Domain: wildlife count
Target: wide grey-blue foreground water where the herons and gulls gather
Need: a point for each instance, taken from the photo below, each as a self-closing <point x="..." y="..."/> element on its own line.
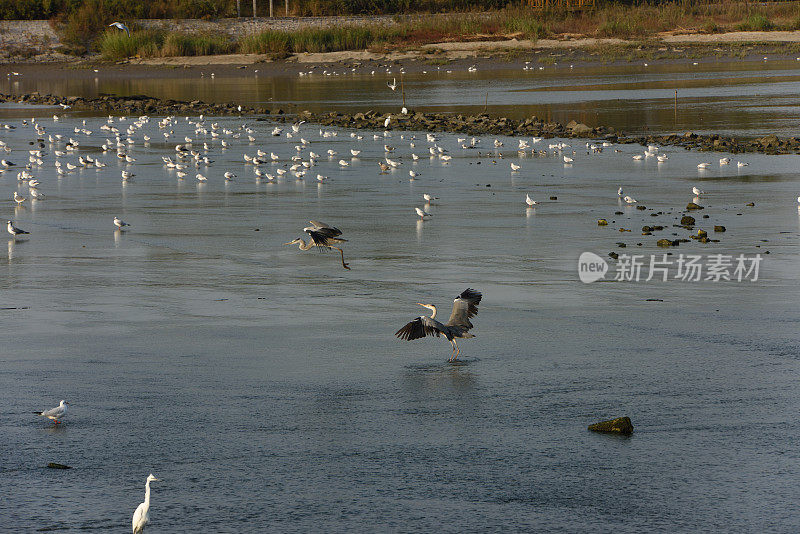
<point x="265" y="387"/>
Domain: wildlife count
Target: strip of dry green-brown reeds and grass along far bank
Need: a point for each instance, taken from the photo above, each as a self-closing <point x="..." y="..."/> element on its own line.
<point x="626" y="21"/>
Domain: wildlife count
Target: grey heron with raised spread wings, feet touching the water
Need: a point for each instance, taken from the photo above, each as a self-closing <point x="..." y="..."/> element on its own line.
<point x="464" y="307"/>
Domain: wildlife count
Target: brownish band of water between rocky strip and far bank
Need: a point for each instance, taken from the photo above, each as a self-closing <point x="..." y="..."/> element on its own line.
<point x="741" y="97"/>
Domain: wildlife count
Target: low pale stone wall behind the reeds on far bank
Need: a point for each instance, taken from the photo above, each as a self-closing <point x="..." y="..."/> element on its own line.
<point x="33" y="38"/>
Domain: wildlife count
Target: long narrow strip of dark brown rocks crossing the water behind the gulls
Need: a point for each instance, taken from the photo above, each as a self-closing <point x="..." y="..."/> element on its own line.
<point x="481" y="124"/>
